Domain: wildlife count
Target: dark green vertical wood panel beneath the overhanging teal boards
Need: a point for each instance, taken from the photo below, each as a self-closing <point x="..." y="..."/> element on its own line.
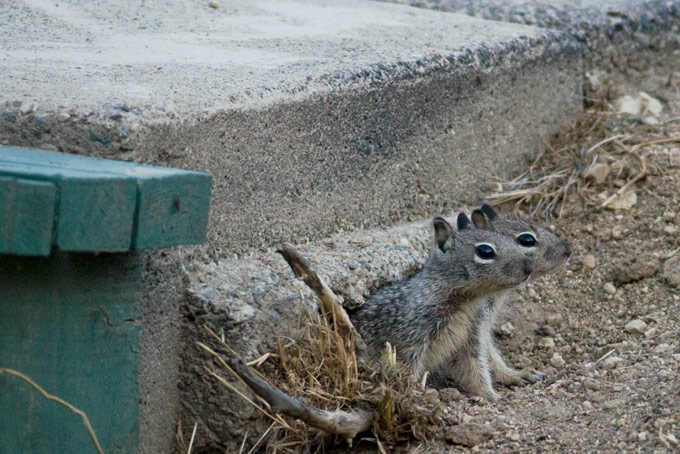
<point x="71" y="323"/>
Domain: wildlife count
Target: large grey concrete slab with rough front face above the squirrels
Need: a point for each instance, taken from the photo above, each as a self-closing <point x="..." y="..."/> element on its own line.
<point x="312" y="117"/>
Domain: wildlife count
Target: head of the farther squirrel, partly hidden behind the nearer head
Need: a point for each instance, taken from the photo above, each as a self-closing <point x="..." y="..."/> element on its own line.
<point x="547" y="250"/>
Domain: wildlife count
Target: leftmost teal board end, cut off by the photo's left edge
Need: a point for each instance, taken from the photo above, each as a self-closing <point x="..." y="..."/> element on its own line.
<point x="26" y="216"/>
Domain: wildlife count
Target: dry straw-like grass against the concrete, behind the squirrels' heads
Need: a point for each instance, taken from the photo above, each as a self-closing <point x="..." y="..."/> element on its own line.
<point x="560" y="175"/>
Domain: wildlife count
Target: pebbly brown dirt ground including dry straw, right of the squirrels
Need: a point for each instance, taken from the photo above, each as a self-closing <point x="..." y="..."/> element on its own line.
<point x="606" y="327"/>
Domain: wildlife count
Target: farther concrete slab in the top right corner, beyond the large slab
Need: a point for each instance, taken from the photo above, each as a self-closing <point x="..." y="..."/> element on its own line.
<point x="613" y="33"/>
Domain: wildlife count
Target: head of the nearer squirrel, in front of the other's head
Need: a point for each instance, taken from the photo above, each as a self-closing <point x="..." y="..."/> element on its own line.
<point x="476" y="262"/>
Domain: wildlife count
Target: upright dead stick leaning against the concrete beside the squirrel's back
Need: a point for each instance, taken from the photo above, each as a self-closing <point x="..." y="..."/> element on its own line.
<point x="330" y="302"/>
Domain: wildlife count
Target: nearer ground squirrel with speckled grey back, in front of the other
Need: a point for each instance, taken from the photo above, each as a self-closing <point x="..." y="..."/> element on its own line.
<point x="428" y="318"/>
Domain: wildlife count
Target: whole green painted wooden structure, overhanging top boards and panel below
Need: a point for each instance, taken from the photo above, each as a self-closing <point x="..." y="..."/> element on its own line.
<point x="71" y="286"/>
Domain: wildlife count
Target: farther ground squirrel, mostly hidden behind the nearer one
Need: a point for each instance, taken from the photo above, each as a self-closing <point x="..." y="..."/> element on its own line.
<point x="547" y="252"/>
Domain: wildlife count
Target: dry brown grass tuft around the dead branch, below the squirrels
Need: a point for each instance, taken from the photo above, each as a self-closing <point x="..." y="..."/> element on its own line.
<point x="320" y="366"/>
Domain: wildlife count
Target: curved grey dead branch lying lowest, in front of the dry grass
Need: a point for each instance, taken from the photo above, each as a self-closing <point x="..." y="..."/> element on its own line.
<point x="347" y="424"/>
